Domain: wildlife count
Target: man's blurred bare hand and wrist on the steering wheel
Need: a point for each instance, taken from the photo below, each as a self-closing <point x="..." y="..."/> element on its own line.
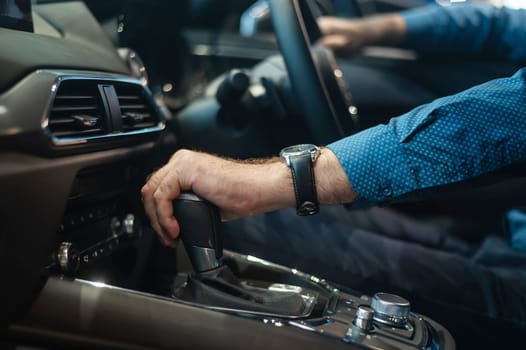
<point x="348" y="36"/>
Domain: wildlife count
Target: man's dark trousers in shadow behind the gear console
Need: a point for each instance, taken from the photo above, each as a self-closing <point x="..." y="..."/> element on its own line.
<point x="477" y="291"/>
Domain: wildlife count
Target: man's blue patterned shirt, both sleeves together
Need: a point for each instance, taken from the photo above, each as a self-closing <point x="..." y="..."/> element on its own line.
<point x="454" y="138"/>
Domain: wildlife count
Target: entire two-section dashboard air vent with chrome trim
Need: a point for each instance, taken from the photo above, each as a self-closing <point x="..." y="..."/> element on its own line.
<point x="89" y="109"/>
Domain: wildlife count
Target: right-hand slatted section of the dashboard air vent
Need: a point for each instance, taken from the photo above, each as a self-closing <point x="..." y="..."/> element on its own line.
<point x="136" y="109"/>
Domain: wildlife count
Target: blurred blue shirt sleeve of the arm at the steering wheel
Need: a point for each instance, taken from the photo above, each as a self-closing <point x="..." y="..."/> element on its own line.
<point x="467" y="29"/>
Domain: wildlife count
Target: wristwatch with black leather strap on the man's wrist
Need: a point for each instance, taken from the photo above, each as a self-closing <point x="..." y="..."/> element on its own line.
<point x="300" y="159"/>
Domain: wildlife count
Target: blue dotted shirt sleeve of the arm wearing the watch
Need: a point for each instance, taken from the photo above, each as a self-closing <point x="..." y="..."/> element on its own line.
<point x="450" y="140"/>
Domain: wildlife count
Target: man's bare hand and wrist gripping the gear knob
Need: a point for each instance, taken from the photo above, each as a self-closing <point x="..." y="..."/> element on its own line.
<point x="237" y="188"/>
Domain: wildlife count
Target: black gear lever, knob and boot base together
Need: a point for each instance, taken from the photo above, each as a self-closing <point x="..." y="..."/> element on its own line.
<point x="216" y="284"/>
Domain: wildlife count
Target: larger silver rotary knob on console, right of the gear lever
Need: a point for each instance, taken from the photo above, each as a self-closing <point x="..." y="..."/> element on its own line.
<point x="390" y="309"/>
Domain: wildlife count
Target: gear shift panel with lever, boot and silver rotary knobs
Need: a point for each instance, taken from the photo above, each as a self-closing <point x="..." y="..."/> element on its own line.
<point x="252" y="288"/>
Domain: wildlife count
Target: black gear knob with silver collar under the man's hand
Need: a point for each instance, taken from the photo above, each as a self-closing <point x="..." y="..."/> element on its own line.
<point x="200" y="224"/>
